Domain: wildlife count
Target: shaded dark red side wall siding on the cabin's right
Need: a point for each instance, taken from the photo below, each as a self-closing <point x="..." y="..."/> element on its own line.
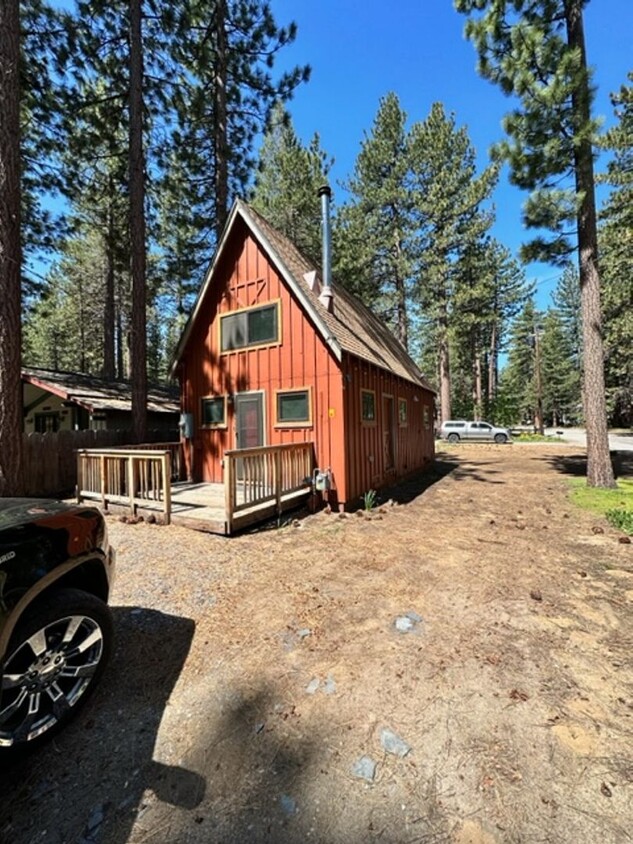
<point x="414" y="443"/>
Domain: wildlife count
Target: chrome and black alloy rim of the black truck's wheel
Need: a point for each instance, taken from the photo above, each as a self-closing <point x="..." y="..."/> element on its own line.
<point x="46" y="675"/>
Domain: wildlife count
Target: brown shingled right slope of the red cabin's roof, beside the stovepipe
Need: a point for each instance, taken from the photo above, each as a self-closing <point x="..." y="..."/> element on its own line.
<point x="357" y="330"/>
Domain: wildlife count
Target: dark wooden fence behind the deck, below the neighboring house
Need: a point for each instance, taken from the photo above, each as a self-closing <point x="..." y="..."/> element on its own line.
<point x="50" y="463"/>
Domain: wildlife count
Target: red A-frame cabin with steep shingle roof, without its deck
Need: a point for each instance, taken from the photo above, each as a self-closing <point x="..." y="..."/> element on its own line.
<point x="264" y="361"/>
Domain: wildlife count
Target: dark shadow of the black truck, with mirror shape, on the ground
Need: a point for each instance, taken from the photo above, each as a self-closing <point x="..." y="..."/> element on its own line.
<point x="102" y="764"/>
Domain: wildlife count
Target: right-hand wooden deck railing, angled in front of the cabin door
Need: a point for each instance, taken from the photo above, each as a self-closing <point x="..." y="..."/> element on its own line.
<point x="256" y="476"/>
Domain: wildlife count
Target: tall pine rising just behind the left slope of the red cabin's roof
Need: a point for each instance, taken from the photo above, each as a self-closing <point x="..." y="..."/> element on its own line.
<point x="225" y="91"/>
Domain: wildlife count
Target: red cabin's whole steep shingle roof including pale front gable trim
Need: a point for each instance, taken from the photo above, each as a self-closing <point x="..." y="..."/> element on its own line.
<point x="350" y="327"/>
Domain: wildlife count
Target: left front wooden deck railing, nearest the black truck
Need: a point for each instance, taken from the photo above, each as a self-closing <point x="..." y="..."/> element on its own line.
<point x="125" y="476"/>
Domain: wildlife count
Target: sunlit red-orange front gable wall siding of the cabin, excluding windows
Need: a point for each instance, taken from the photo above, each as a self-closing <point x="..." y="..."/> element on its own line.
<point x="243" y="278"/>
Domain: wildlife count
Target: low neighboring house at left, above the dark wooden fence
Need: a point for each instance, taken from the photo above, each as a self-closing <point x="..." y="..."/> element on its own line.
<point x="71" y="401"/>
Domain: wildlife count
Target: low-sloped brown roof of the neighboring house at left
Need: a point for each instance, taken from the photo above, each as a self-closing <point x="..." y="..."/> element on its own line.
<point x="97" y="393"/>
